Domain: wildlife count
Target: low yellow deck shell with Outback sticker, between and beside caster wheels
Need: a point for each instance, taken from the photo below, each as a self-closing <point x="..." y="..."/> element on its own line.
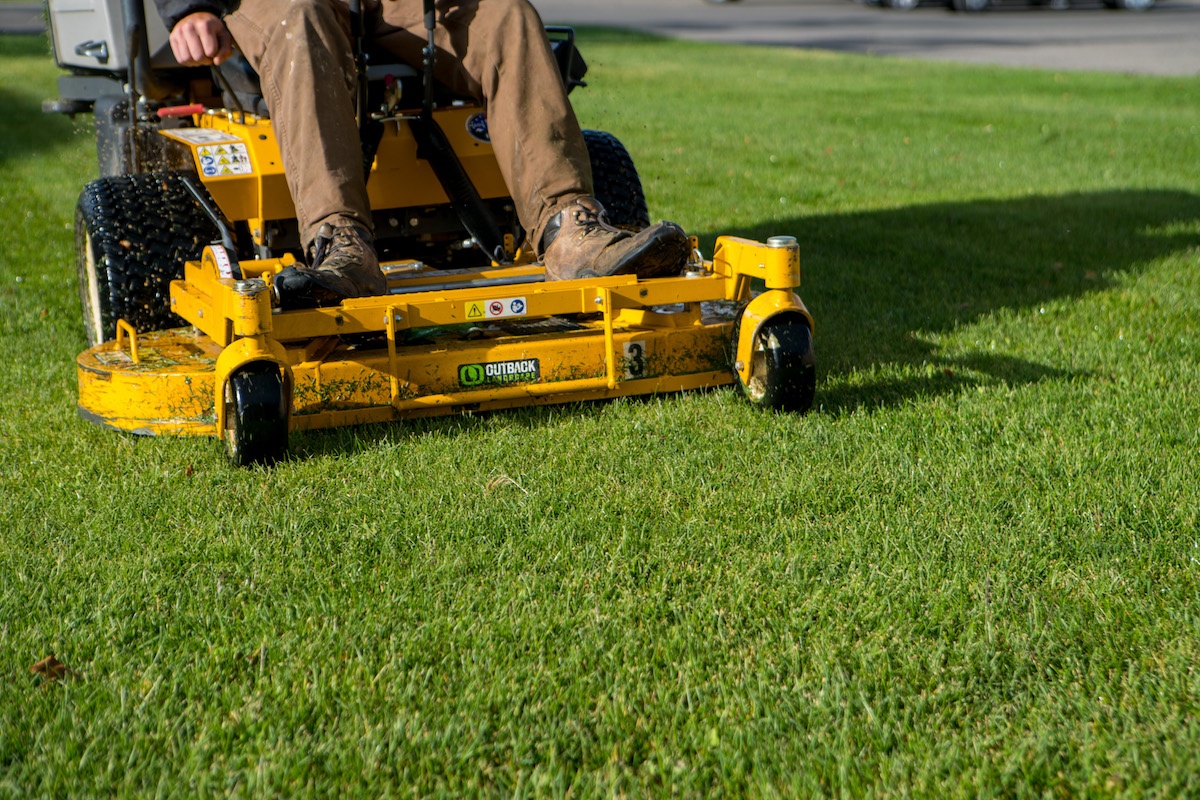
<point x="171" y="388"/>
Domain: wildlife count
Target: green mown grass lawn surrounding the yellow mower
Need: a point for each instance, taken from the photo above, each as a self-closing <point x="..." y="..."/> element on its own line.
<point x="973" y="572"/>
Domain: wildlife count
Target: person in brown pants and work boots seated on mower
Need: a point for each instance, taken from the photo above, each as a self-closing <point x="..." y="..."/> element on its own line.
<point x="496" y="51"/>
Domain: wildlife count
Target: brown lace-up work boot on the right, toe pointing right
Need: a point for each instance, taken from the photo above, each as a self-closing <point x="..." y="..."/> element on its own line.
<point x="579" y="243"/>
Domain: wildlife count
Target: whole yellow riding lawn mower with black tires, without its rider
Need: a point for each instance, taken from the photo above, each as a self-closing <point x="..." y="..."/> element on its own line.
<point x="181" y="238"/>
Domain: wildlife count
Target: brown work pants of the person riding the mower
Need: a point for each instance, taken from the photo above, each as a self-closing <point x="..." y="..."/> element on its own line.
<point x="495" y="51"/>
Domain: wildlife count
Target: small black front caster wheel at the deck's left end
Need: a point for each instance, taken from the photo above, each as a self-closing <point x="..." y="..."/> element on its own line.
<point x="256" y="416"/>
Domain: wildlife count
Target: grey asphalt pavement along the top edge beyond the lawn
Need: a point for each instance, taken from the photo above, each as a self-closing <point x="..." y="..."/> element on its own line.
<point x="1162" y="41"/>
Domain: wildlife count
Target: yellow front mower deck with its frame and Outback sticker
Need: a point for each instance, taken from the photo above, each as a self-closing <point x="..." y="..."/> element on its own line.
<point x="440" y="344"/>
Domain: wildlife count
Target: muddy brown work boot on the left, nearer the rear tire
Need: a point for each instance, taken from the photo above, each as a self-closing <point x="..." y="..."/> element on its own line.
<point x="344" y="266"/>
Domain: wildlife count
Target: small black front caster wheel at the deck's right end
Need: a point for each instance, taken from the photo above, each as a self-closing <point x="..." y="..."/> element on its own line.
<point x="783" y="372"/>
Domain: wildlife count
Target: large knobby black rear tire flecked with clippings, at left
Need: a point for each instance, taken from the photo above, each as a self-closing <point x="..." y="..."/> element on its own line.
<point x="133" y="236"/>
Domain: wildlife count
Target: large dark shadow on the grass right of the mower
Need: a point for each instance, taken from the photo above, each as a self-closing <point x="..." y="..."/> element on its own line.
<point x="880" y="284"/>
